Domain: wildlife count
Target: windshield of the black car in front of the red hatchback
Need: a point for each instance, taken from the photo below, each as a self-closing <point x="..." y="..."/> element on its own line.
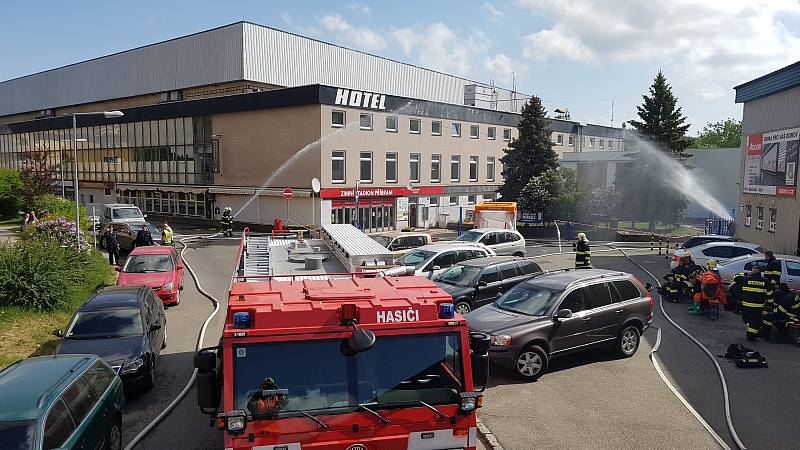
<point x="111" y="323"/>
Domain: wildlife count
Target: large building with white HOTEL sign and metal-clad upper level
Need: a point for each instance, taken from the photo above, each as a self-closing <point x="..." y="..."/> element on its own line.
<point x="232" y="116"/>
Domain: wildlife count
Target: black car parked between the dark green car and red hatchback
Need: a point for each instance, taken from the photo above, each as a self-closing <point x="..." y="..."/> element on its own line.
<point x="124" y="325"/>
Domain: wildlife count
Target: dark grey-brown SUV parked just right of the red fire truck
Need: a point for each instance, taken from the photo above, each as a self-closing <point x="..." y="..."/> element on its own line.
<point x="557" y="313"/>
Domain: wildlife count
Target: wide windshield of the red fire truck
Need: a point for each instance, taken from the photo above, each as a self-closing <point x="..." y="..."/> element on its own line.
<point x="277" y="379"/>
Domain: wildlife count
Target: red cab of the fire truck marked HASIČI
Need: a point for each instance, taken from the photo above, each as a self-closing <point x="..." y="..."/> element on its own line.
<point x="343" y="362"/>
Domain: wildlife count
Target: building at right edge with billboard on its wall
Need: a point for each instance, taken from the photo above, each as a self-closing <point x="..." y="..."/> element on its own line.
<point x="769" y="213"/>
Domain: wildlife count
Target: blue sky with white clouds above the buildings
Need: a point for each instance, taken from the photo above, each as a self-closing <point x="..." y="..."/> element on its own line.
<point x="578" y="54"/>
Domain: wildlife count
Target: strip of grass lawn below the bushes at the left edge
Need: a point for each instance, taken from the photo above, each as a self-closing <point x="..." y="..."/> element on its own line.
<point x="25" y="333"/>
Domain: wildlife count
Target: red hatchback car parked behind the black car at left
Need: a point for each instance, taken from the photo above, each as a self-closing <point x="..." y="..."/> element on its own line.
<point x="159" y="267"/>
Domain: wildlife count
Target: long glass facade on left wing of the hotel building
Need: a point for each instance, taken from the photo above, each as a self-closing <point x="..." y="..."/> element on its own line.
<point x="170" y="151"/>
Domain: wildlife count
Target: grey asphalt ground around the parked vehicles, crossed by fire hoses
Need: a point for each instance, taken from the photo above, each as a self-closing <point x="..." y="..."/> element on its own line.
<point x="590" y="400"/>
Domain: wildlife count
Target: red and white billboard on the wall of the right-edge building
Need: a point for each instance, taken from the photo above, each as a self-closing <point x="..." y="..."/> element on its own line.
<point x="771" y="164"/>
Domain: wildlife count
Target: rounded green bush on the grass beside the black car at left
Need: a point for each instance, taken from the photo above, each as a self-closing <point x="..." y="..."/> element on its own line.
<point x="41" y="275"/>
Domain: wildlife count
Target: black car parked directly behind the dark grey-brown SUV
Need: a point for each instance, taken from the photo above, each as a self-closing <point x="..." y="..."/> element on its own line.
<point x="476" y="282"/>
